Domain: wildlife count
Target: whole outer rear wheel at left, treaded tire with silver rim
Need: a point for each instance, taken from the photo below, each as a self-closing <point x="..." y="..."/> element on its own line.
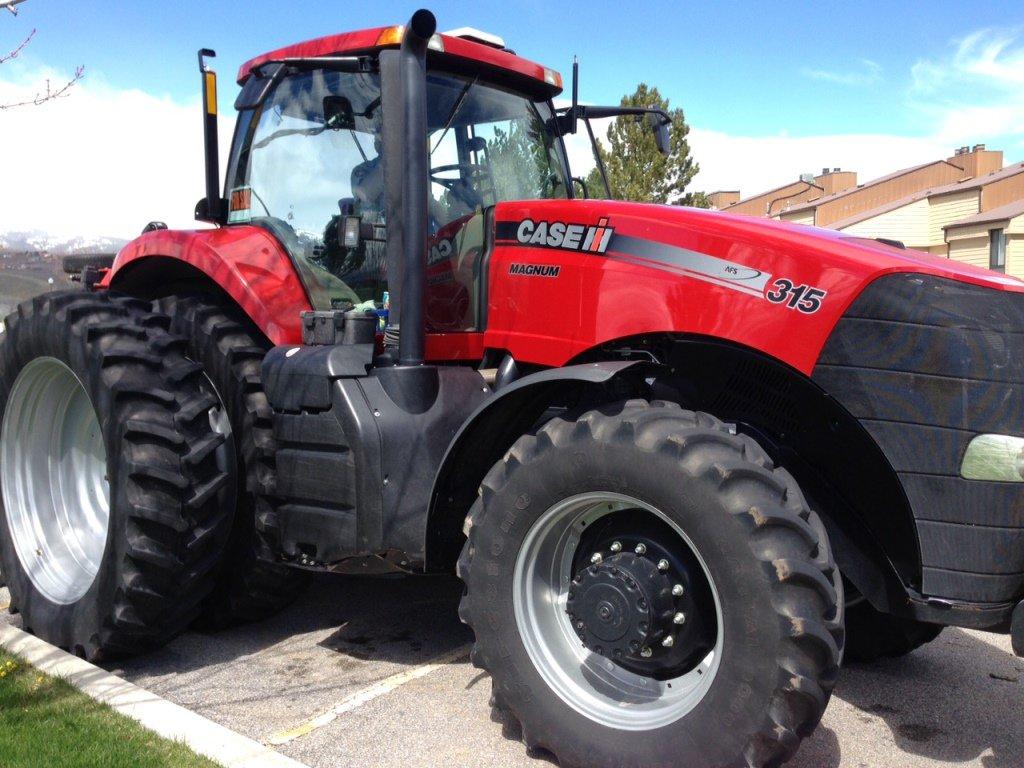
<point x="116" y="493"/>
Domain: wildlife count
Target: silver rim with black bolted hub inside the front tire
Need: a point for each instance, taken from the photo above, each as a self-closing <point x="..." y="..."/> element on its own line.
<point x="618" y="611"/>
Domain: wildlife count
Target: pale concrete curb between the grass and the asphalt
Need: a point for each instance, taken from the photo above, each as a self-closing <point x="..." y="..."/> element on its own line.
<point x="168" y="720"/>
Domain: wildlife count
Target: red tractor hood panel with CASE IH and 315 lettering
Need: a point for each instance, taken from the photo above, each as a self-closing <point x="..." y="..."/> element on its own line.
<point x="598" y="298"/>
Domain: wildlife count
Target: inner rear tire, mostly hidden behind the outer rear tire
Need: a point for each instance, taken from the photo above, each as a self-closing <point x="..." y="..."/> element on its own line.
<point x="248" y="586"/>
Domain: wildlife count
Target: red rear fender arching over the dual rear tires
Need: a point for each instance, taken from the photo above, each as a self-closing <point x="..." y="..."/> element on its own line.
<point x="247" y="263"/>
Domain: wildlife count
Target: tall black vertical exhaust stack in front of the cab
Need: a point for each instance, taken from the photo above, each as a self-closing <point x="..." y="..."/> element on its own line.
<point x="404" y="75"/>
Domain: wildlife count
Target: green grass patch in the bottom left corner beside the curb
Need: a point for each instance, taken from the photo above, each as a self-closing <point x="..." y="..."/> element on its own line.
<point x="46" y="722"/>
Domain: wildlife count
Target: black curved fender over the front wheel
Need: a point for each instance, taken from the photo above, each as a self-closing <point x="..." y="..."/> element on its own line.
<point x="488" y="434"/>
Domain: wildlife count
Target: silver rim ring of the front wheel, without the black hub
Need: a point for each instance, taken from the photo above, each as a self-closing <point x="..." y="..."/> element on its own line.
<point x="590" y="684"/>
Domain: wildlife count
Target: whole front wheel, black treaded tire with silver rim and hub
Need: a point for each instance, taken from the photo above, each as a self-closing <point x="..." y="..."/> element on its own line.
<point x="648" y="589"/>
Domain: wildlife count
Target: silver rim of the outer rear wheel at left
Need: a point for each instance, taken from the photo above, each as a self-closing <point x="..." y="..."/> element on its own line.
<point x="54" y="473"/>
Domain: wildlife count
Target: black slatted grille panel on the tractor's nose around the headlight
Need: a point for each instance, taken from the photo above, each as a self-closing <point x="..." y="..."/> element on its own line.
<point x="926" y="364"/>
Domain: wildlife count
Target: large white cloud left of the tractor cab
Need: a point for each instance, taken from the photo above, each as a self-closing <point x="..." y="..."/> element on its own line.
<point x="101" y="162"/>
